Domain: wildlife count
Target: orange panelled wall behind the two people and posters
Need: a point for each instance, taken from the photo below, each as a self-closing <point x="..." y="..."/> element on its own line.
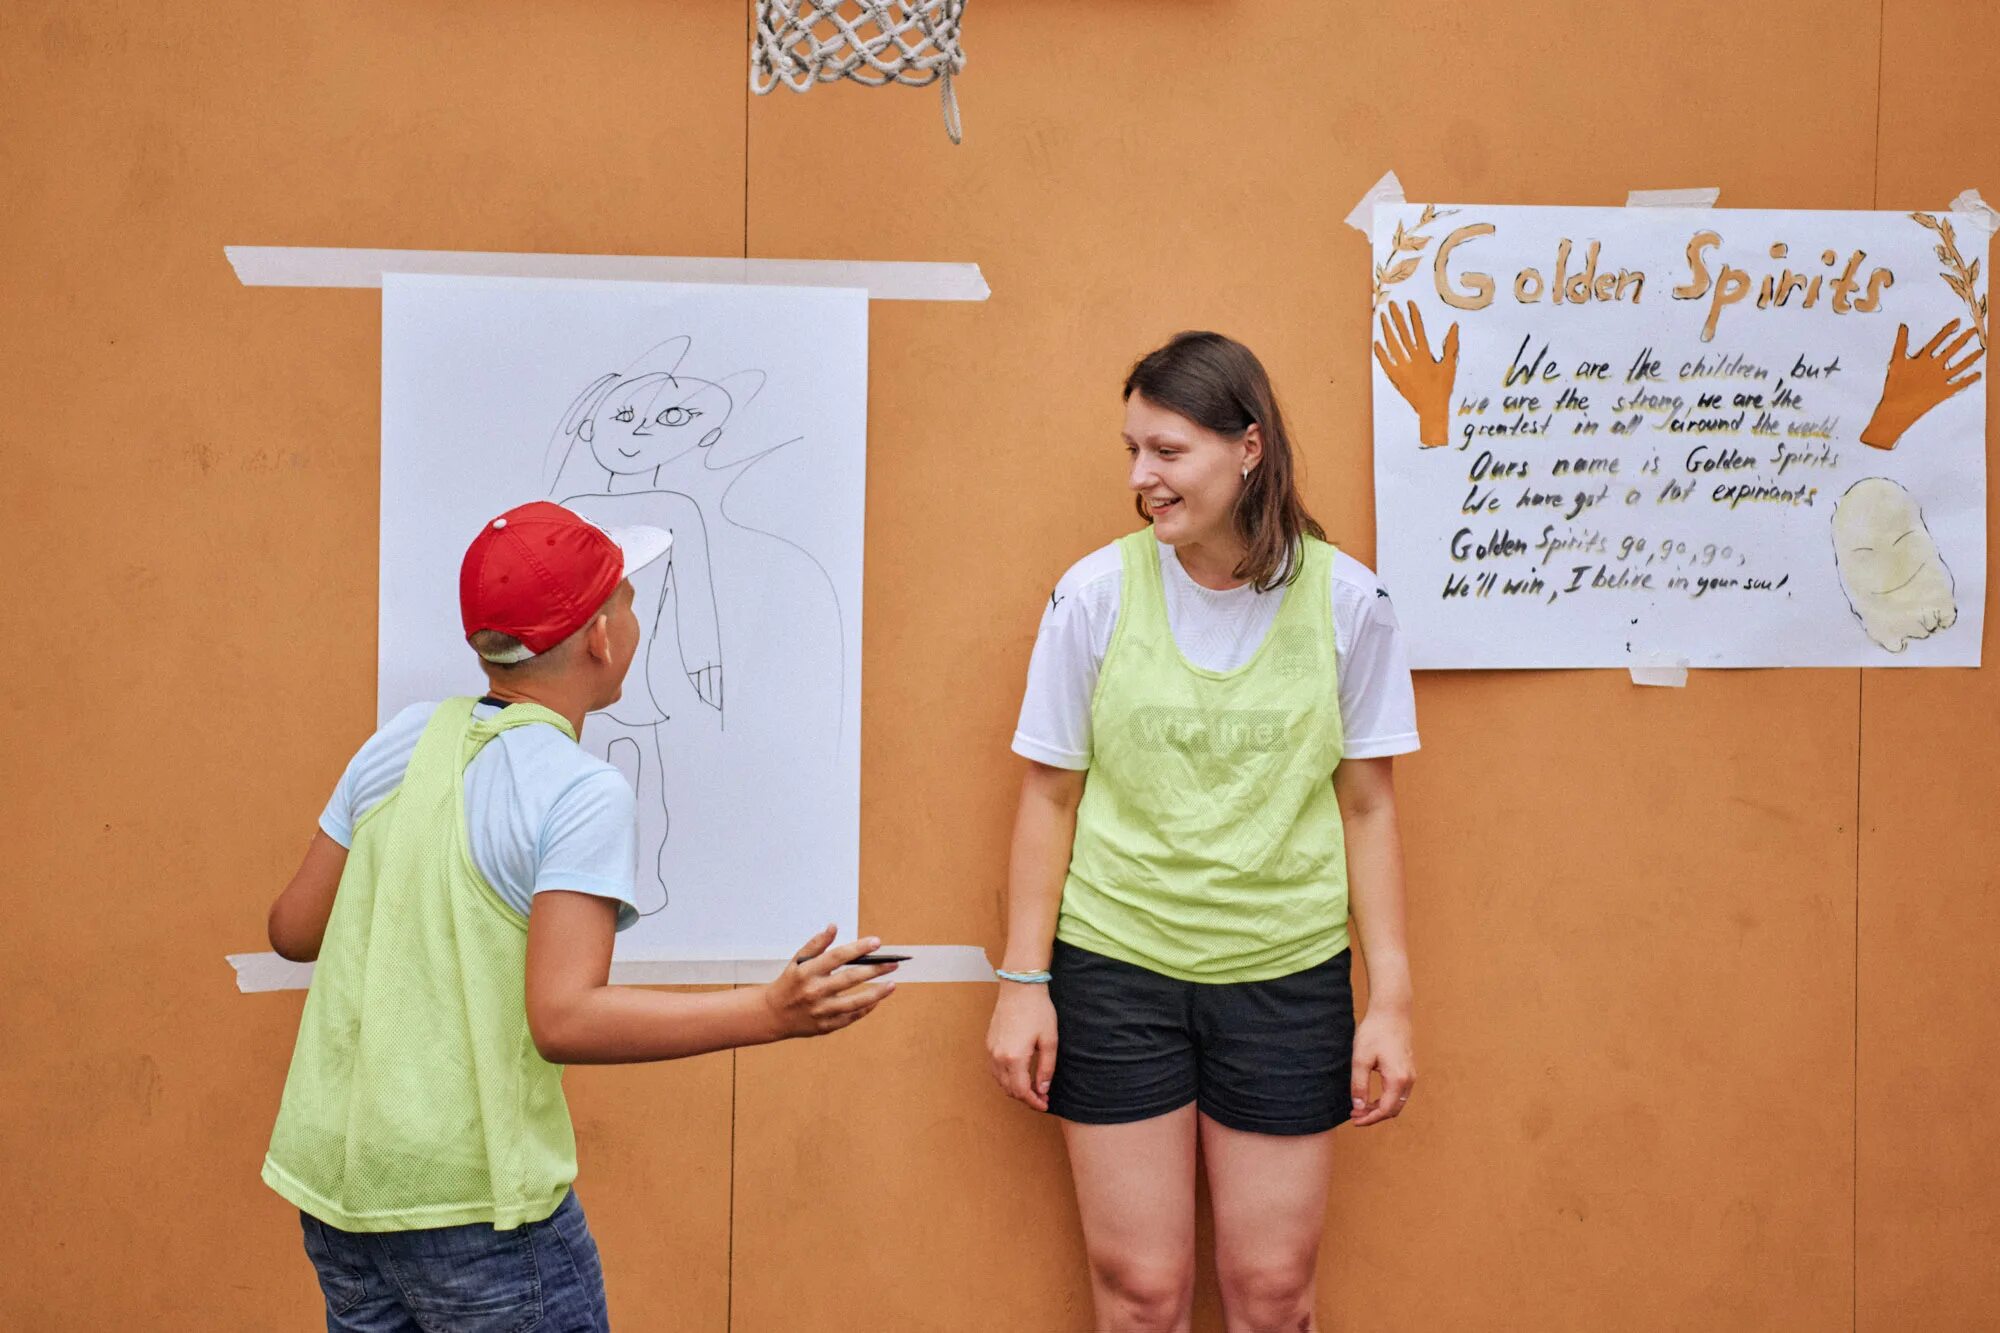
<point x="1705" y="980"/>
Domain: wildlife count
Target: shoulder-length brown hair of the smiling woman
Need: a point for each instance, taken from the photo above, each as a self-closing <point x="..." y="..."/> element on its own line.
<point x="1221" y="385"/>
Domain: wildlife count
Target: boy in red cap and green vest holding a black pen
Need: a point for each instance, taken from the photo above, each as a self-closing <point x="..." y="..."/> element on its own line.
<point x="461" y="900"/>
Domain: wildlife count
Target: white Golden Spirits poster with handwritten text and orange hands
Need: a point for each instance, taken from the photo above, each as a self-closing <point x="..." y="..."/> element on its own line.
<point x="1615" y="437"/>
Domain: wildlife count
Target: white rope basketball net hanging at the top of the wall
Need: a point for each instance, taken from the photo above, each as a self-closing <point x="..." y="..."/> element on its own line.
<point x="877" y="43"/>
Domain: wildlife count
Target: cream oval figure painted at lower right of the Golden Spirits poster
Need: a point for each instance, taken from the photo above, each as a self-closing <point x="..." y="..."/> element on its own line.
<point x="1889" y="565"/>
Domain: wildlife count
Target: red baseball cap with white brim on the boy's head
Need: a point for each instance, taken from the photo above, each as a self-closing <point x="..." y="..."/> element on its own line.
<point x="541" y="571"/>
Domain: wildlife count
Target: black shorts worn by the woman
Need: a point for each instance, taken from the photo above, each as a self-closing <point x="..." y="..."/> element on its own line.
<point x="1269" y="1058"/>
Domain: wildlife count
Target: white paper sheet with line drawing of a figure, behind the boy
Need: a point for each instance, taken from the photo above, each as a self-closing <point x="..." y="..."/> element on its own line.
<point x="737" y="419"/>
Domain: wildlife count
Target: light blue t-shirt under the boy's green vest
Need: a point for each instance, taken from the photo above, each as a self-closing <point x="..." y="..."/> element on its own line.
<point x="541" y="812"/>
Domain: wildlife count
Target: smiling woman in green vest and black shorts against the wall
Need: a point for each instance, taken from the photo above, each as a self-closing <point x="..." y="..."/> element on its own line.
<point x="1211" y="716"/>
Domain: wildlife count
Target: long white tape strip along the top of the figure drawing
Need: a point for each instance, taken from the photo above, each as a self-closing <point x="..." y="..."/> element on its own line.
<point x="333" y="267"/>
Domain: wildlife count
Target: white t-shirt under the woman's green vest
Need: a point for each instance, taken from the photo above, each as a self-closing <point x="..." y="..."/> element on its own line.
<point x="1217" y="631"/>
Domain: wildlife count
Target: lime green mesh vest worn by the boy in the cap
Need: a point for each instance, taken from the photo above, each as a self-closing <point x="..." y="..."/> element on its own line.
<point x="417" y="1096"/>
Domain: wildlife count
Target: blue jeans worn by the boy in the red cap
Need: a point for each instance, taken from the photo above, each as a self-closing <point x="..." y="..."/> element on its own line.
<point x="541" y="1278"/>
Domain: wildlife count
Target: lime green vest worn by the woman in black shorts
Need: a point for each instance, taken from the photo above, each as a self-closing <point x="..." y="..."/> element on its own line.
<point x="1209" y="842"/>
